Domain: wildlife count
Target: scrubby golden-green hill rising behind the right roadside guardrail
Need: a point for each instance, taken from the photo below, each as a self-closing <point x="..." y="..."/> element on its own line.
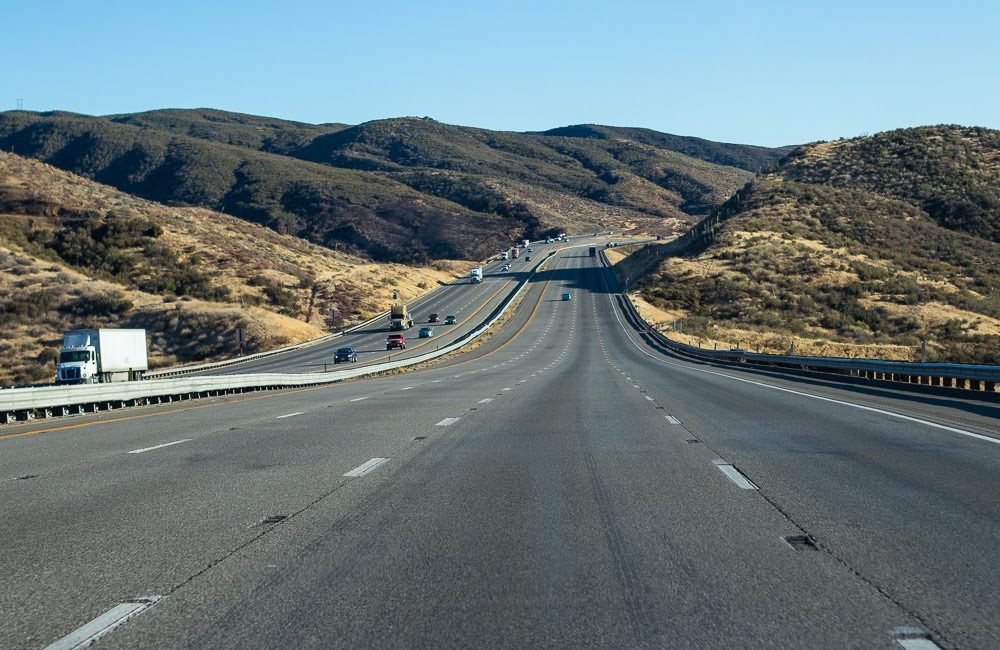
<point x="858" y="247"/>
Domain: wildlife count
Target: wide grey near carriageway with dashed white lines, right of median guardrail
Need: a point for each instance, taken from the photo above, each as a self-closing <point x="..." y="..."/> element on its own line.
<point x="565" y="484"/>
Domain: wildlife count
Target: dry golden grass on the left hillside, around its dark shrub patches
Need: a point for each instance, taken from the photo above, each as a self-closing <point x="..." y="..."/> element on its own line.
<point x="234" y="253"/>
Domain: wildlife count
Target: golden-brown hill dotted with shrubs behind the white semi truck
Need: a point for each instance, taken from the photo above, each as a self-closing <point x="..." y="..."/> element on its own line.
<point x="75" y="253"/>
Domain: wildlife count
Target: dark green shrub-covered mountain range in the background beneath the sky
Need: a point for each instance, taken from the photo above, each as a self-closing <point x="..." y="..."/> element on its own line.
<point x="406" y="189"/>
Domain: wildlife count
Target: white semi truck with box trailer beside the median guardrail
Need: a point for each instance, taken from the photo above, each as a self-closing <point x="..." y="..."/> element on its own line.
<point x="102" y="355"/>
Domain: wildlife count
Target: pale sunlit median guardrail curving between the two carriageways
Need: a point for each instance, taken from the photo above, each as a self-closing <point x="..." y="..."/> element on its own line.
<point x="28" y="403"/>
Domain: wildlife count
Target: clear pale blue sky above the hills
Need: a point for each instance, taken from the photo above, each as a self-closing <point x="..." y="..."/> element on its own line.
<point x="739" y="71"/>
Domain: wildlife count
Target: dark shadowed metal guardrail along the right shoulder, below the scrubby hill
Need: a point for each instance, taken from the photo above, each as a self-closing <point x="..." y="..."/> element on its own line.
<point x="959" y="376"/>
